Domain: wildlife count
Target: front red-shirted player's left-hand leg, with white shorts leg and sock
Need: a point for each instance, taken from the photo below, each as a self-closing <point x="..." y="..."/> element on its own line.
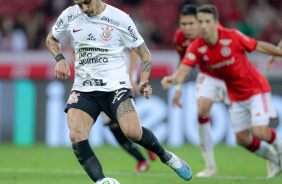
<point x="241" y="119"/>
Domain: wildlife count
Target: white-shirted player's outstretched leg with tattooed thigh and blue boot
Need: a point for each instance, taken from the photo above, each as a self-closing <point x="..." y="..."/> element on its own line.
<point x="128" y="119"/>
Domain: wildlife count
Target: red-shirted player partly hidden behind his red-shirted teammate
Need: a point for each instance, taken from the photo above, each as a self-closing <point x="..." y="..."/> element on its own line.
<point x="209" y="88"/>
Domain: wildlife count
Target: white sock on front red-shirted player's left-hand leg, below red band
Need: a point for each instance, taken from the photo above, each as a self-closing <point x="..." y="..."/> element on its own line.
<point x="268" y="152"/>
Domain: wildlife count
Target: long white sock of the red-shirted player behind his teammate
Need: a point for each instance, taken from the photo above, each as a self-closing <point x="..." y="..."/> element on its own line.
<point x="206" y="140"/>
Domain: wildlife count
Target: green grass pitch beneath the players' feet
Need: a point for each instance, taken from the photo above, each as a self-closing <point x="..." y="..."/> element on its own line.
<point x="42" y="165"/>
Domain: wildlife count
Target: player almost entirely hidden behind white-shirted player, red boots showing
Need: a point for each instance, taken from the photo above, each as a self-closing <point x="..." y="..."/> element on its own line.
<point x="125" y="143"/>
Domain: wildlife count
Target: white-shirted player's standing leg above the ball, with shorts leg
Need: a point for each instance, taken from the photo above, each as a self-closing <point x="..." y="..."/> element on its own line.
<point x="81" y="114"/>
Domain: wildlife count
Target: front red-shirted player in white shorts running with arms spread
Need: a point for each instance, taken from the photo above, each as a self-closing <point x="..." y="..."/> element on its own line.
<point x="223" y="51"/>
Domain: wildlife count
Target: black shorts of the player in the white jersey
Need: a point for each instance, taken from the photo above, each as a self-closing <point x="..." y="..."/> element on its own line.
<point x="96" y="101"/>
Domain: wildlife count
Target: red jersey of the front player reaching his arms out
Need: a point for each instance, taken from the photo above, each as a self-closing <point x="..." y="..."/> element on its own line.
<point x="228" y="60"/>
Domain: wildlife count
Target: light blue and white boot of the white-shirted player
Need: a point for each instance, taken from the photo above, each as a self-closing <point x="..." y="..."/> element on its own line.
<point x="180" y="167"/>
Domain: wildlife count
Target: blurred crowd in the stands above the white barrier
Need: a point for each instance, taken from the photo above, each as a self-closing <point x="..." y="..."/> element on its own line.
<point x="24" y="24"/>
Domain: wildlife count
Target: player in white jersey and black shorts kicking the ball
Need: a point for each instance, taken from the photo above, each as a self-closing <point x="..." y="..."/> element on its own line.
<point x="100" y="32"/>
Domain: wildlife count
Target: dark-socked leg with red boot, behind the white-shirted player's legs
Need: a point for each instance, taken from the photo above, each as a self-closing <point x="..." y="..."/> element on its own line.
<point x="126" y="144"/>
